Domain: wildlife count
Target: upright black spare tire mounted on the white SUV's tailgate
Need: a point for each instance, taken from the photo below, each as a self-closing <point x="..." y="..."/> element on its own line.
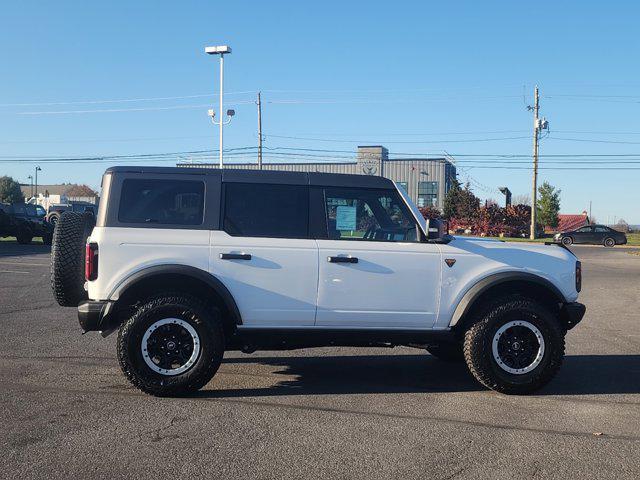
<point x="67" y="257"/>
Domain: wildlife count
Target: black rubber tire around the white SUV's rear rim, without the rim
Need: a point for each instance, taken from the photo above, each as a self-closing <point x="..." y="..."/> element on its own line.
<point x="203" y="318"/>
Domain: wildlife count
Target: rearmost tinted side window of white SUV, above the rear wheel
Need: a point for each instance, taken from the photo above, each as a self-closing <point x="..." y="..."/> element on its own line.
<point x="163" y="202"/>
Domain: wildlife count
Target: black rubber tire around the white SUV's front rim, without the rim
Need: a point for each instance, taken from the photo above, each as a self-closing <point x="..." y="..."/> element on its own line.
<point x="478" y="345"/>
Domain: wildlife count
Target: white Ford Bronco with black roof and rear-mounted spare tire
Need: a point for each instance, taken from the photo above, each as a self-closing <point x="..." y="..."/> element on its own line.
<point x="188" y="263"/>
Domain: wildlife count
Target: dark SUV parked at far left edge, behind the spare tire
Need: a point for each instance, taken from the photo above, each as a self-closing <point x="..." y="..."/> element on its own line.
<point x="24" y="221"/>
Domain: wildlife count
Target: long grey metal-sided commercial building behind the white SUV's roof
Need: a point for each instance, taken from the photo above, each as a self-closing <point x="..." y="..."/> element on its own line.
<point x="427" y="180"/>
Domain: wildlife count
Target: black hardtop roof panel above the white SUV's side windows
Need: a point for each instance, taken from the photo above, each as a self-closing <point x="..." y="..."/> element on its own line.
<point x="266" y="176"/>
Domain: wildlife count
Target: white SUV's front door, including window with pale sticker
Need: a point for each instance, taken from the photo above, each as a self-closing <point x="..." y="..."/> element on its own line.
<point x="373" y="269"/>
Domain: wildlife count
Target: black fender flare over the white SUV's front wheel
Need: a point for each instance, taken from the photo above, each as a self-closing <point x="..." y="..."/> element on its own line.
<point x="499" y="284"/>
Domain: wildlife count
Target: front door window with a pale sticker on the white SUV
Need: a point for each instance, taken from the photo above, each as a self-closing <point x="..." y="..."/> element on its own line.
<point x="363" y="214"/>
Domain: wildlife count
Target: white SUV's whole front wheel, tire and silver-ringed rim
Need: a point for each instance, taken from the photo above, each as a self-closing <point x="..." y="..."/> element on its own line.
<point x="516" y="347"/>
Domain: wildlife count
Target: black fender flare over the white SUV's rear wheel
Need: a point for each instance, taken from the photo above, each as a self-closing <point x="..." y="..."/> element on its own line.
<point x="183" y="278"/>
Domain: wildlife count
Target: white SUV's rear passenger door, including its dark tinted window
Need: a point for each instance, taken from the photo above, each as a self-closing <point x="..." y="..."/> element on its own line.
<point x="264" y="255"/>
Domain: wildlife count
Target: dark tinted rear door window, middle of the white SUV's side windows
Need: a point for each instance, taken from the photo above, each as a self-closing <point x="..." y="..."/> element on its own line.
<point x="261" y="210"/>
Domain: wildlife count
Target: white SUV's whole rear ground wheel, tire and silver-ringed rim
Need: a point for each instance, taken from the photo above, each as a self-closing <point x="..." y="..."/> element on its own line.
<point x="172" y="345"/>
